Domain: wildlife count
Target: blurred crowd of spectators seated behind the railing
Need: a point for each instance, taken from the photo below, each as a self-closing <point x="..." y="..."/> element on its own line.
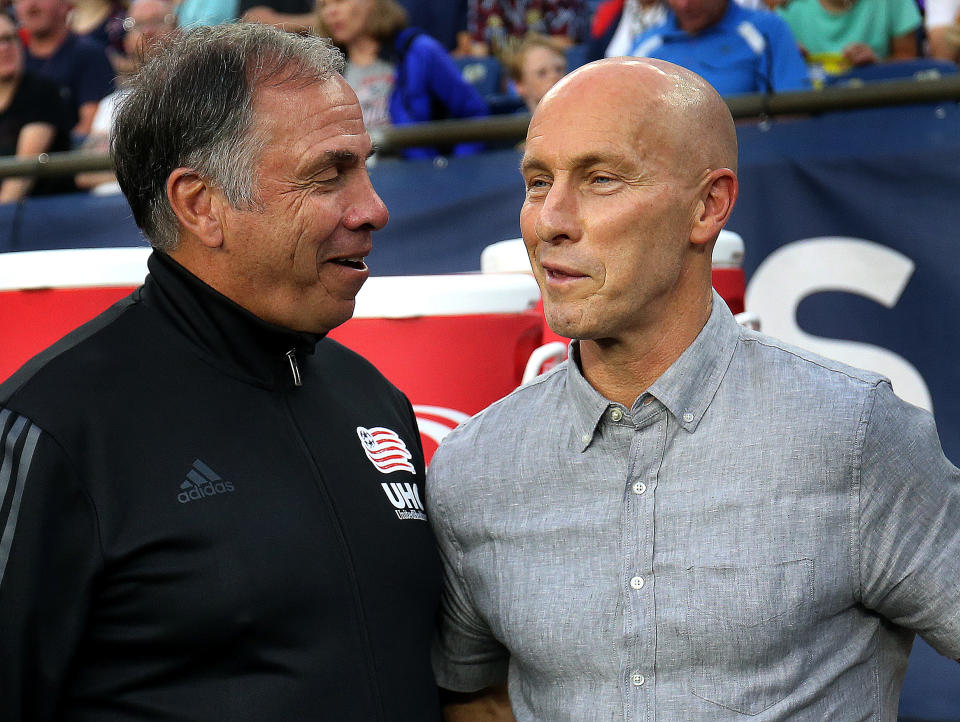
<point x="63" y="62"/>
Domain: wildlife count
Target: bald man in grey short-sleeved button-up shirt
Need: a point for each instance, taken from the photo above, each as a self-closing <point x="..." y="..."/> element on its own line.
<point x="687" y="520"/>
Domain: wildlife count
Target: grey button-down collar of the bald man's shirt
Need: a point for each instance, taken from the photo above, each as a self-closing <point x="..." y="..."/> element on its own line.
<point x="685" y="389"/>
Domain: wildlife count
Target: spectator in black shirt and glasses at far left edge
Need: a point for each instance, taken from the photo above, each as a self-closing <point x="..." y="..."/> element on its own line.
<point x="33" y="118"/>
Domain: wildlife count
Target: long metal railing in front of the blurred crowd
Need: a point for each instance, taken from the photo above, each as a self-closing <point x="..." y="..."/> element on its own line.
<point x="513" y="128"/>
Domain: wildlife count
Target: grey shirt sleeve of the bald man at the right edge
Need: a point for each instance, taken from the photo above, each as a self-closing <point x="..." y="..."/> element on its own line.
<point x="909" y="523"/>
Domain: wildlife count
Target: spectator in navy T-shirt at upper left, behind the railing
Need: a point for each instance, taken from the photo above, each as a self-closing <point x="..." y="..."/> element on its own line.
<point x="78" y="65"/>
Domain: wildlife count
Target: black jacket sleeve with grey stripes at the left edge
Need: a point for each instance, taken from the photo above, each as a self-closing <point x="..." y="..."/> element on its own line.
<point x="49" y="556"/>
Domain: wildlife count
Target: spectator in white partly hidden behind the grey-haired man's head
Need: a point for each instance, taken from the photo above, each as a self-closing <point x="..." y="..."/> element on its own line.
<point x="148" y="23"/>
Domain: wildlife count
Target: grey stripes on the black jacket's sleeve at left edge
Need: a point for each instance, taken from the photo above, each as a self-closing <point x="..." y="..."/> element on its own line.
<point x="15" y="459"/>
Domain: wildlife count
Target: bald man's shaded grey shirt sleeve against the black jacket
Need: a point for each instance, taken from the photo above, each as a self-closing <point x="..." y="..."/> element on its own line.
<point x="466" y="656"/>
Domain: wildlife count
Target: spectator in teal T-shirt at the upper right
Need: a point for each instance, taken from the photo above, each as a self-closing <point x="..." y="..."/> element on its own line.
<point x="836" y="35"/>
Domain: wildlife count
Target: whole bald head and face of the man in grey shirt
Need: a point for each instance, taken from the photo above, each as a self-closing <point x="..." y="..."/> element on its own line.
<point x="630" y="174"/>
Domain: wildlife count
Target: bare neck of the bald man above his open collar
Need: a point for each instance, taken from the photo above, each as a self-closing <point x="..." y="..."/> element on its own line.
<point x="622" y="369"/>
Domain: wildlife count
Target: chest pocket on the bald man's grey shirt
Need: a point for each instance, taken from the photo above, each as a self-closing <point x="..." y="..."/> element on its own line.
<point x="747" y="628"/>
